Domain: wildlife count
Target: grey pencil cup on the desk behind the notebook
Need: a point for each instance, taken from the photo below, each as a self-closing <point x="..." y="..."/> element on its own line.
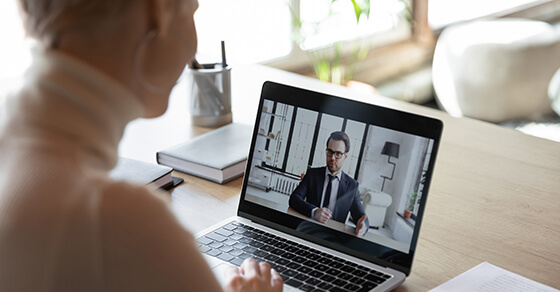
<point x="210" y="93"/>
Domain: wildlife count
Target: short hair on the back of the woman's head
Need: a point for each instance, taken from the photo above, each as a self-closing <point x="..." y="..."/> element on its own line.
<point x="45" y="20"/>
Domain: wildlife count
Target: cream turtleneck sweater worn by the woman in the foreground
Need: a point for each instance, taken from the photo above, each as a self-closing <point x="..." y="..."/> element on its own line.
<point x="64" y="225"/>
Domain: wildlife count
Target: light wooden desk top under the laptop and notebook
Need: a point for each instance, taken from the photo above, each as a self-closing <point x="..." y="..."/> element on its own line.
<point x="494" y="195"/>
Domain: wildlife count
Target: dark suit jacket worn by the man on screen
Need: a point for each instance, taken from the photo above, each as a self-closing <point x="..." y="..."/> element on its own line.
<point x="307" y="196"/>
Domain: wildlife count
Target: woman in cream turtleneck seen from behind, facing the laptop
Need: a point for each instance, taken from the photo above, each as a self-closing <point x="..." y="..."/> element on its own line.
<point x="64" y="225"/>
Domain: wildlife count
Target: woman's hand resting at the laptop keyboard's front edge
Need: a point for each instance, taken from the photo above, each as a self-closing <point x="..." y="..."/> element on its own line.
<point x="253" y="276"/>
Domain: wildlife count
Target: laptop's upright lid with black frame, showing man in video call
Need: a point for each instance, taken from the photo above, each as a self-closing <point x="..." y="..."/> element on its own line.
<point x="347" y="175"/>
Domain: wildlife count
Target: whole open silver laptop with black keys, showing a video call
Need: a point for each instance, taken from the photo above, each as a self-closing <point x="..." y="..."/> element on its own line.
<point x="385" y="176"/>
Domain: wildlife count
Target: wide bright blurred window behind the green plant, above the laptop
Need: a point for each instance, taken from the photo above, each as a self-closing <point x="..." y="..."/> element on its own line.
<point x="263" y="31"/>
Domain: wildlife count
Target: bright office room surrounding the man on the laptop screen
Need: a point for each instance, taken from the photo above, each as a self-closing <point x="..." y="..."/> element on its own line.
<point x="388" y="166"/>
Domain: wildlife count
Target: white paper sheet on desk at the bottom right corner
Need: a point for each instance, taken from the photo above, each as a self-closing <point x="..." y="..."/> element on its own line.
<point x="489" y="278"/>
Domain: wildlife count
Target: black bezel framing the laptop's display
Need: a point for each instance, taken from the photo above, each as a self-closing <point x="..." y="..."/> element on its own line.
<point x="368" y="113"/>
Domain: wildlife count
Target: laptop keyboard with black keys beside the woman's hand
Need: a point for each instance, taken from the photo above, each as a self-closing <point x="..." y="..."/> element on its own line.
<point x="300" y="266"/>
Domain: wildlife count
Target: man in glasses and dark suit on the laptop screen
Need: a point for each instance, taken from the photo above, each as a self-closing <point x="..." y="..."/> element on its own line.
<point x="328" y="193"/>
